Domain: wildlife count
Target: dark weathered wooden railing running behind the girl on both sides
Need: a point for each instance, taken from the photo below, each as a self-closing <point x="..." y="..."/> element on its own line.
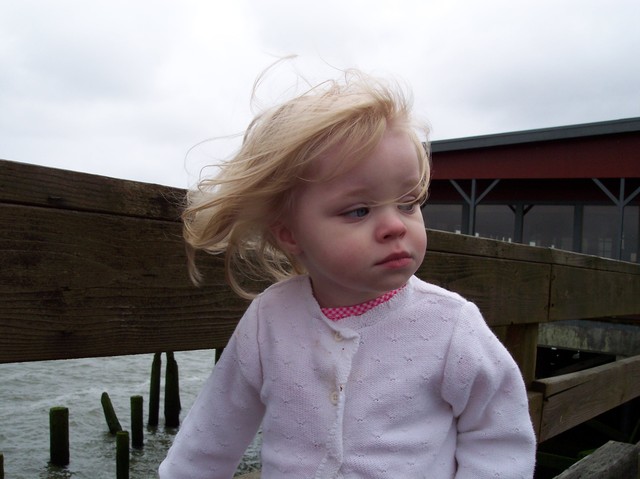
<point x="92" y="266"/>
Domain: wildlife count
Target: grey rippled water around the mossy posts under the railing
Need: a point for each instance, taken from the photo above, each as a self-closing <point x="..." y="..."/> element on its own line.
<point x="29" y="390"/>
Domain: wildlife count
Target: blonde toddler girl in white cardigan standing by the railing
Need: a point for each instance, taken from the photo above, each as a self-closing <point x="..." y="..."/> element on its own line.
<point x="354" y="367"/>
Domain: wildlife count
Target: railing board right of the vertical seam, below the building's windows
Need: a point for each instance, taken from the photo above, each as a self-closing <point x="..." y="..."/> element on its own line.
<point x="583" y="293"/>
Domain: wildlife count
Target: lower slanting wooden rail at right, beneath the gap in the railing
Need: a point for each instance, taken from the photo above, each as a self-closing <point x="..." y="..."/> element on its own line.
<point x="577" y="397"/>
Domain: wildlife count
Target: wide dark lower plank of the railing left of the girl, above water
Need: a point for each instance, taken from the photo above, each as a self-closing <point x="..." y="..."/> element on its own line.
<point x="83" y="284"/>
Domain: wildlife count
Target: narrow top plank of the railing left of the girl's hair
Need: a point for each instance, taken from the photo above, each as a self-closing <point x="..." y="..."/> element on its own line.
<point x="61" y="189"/>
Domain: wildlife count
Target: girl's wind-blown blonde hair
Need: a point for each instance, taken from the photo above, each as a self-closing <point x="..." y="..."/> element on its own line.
<point x="233" y="212"/>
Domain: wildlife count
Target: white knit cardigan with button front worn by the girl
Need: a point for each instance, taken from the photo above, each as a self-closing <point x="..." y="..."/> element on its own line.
<point x="417" y="387"/>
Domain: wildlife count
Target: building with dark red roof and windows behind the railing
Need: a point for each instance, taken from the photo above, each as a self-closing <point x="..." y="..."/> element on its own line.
<point x="573" y="187"/>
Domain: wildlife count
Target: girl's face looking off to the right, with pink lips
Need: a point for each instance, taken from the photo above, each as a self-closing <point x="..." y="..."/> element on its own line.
<point x="361" y="233"/>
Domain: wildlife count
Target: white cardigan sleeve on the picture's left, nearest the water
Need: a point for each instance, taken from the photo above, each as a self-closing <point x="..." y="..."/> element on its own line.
<point x="226" y="415"/>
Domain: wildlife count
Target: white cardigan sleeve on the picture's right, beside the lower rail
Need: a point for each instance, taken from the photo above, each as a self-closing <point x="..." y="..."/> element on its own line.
<point x="488" y="397"/>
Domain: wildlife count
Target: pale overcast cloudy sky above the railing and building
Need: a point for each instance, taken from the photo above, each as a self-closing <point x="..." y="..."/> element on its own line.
<point x="125" y="88"/>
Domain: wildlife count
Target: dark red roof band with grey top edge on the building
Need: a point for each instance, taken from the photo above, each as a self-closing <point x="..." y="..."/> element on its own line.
<point x="597" y="150"/>
